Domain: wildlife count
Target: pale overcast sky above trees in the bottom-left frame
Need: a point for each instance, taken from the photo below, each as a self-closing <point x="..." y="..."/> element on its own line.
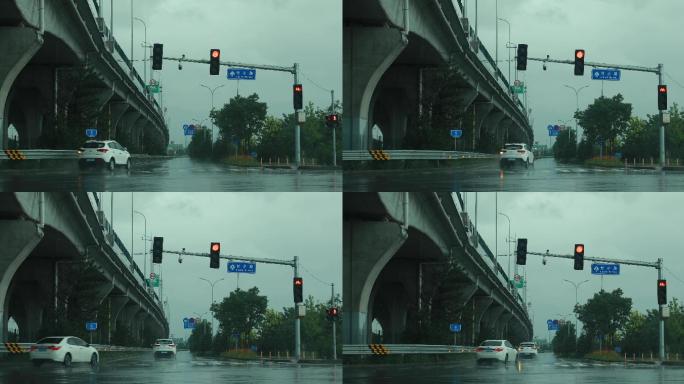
<point x="260" y="225"/>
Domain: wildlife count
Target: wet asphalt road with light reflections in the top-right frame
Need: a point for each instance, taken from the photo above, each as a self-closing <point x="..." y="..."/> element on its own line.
<point x="545" y="176"/>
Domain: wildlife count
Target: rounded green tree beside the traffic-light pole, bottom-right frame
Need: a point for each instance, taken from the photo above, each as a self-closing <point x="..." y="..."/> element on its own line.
<point x="605" y="314"/>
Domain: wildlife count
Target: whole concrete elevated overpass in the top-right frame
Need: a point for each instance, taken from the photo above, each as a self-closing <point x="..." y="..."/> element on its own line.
<point x="412" y="64"/>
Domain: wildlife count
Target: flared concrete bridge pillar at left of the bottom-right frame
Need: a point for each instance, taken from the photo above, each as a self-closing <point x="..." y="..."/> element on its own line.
<point x="368" y="247"/>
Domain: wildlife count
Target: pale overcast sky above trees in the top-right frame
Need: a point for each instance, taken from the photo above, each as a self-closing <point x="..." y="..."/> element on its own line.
<point x="632" y="32"/>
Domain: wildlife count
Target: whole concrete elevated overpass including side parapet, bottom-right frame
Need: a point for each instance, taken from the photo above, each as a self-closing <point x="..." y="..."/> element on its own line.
<point x="412" y="265"/>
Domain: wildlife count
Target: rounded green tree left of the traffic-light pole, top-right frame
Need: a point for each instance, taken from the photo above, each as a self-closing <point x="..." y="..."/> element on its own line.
<point x="605" y="120"/>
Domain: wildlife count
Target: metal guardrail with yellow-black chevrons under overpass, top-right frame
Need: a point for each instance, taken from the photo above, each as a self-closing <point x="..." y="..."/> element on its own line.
<point x="382" y="155"/>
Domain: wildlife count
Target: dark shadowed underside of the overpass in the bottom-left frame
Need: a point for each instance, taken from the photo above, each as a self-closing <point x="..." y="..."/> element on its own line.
<point x="50" y="286"/>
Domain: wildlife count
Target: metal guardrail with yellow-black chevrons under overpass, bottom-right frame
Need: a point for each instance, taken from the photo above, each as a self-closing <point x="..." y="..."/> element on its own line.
<point x="403" y="349"/>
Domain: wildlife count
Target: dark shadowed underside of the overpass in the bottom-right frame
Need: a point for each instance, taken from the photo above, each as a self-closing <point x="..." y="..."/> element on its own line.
<point x="400" y="287"/>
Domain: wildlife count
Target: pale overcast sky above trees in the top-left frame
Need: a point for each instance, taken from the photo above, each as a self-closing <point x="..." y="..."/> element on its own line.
<point x="270" y="32"/>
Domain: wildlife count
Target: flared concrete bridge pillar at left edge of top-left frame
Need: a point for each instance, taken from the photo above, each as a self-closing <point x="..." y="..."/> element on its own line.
<point x="18" y="46"/>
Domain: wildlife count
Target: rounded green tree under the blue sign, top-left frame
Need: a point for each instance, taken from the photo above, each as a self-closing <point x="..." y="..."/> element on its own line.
<point x="242" y="118"/>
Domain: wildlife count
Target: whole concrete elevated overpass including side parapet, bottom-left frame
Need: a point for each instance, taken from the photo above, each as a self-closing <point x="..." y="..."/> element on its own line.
<point x="55" y="243"/>
